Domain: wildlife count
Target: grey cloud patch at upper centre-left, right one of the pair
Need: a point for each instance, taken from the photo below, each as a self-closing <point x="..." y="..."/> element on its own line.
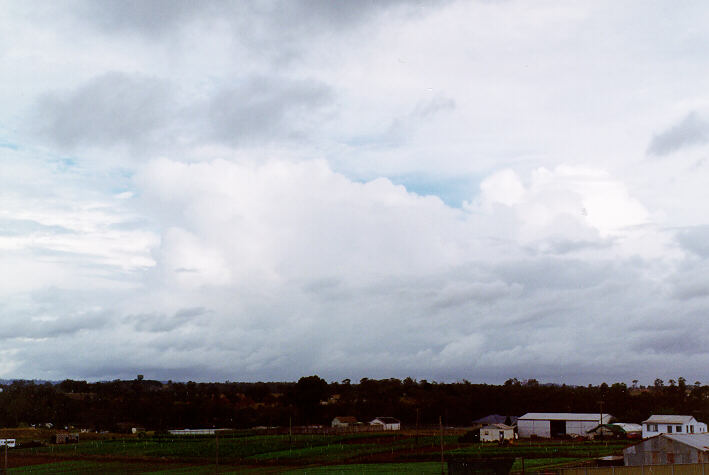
<point x="265" y="108"/>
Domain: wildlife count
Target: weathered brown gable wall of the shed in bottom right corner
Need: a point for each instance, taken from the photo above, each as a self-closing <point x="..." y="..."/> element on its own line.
<point x="661" y="451"/>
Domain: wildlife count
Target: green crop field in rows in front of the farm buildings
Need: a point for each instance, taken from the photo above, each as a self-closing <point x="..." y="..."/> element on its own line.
<point x="313" y="453"/>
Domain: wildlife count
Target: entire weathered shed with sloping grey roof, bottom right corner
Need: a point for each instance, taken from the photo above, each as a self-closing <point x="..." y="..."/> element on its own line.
<point x="668" y="449"/>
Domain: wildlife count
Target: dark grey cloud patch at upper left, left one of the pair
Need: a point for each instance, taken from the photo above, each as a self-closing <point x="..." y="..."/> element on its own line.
<point x="111" y="109"/>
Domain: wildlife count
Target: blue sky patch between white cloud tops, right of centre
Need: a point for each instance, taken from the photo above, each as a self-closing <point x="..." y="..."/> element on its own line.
<point x="453" y="191"/>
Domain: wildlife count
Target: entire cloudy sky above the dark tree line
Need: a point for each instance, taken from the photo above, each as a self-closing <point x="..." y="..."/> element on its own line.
<point x="269" y="189"/>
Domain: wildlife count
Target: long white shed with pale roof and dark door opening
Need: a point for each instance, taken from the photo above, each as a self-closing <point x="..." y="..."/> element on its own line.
<point x="559" y="424"/>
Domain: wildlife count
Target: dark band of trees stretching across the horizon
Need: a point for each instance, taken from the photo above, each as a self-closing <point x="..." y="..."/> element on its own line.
<point x="154" y="405"/>
